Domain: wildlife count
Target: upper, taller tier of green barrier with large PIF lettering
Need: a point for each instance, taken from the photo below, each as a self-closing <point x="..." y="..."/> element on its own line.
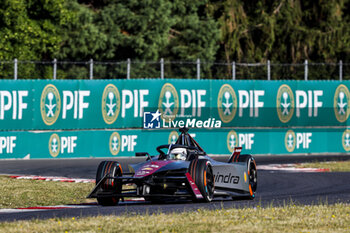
<point x="119" y="104"/>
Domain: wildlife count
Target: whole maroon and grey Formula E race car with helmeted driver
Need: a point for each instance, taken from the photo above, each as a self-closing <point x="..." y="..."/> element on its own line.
<point x="184" y="171"/>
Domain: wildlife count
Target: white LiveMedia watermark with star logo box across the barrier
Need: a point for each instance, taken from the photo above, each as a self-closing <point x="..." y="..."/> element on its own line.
<point x="154" y="120"/>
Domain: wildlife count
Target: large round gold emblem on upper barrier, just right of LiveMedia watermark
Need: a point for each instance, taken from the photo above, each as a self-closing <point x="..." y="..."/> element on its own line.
<point x="227" y="103"/>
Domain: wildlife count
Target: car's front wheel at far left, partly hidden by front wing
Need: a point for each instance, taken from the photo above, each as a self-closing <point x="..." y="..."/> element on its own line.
<point x="114" y="169"/>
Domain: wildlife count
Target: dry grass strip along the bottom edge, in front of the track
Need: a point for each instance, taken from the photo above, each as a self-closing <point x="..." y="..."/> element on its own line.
<point x="291" y="218"/>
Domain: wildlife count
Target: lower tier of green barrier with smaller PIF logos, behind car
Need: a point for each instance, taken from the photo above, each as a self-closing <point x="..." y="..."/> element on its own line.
<point x="116" y="143"/>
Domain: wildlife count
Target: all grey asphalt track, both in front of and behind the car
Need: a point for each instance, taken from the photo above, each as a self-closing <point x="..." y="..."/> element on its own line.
<point x="274" y="188"/>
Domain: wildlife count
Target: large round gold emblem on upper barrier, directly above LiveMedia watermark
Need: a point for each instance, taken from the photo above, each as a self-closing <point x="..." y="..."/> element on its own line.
<point x="168" y="103"/>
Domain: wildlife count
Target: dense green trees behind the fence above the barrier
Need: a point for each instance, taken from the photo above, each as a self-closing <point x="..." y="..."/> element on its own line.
<point x="285" y="31"/>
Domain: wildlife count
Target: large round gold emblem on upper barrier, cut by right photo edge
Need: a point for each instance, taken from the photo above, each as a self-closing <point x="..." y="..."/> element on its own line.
<point x="341" y="103"/>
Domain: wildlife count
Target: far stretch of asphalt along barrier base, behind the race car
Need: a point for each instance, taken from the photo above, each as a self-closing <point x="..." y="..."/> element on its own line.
<point x="86" y="168"/>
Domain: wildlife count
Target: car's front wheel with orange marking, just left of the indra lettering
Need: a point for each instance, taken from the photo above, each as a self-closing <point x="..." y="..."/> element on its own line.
<point x="201" y="172"/>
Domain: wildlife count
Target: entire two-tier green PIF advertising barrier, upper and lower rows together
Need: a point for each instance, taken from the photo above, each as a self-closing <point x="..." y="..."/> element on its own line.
<point x="104" y="118"/>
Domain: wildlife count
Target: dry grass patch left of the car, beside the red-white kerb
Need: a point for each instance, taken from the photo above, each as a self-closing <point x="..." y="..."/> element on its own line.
<point x="25" y="193"/>
